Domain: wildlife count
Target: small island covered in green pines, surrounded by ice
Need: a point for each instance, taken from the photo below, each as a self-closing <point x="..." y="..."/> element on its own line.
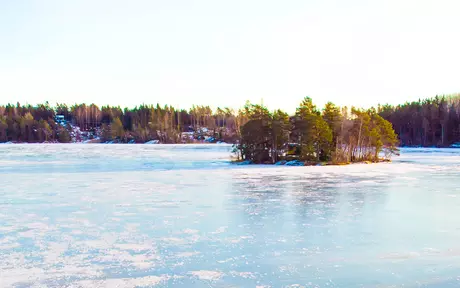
<point x="334" y="136"/>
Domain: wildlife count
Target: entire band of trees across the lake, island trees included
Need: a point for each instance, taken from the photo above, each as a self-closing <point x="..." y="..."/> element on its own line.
<point x="340" y="133"/>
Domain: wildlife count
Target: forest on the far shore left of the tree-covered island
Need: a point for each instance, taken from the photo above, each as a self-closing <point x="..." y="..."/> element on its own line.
<point x="26" y="123"/>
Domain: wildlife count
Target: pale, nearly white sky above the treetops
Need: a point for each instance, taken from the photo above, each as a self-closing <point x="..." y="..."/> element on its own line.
<point x="222" y="53"/>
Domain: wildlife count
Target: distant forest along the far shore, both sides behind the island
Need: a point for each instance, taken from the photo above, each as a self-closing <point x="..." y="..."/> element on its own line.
<point x="430" y="122"/>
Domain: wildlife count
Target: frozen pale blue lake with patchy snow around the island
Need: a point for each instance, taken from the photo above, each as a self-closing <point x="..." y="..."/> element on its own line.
<point x="183" y="216"/>
